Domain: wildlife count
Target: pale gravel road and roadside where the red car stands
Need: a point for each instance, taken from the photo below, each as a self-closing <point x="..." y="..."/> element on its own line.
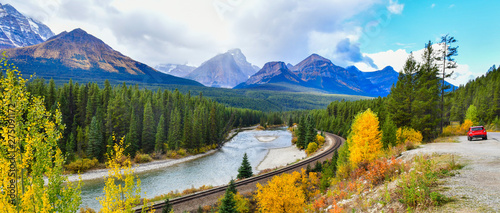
<point x="477" y="187"/>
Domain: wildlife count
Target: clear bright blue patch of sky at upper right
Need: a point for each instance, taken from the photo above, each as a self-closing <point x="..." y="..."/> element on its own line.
<point x="473" y="23"/>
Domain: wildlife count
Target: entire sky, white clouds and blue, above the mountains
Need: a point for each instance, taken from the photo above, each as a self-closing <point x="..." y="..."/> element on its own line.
<point x="369" y="34"/>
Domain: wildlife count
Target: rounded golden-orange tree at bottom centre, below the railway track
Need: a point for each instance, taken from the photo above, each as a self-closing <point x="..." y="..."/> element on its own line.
<point x="281" y="194"/>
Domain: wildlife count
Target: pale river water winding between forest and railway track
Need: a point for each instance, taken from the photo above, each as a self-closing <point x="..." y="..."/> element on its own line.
<point x="216" y="169"/>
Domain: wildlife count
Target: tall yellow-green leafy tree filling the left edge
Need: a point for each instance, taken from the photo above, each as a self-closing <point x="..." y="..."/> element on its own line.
<point x="31" y="164"/>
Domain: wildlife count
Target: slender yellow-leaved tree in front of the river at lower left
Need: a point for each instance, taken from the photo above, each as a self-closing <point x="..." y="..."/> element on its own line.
<point x="121" y="193"/>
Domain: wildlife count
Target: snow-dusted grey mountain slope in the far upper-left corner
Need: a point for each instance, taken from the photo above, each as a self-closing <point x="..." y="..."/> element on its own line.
<point x="17" y="30"/>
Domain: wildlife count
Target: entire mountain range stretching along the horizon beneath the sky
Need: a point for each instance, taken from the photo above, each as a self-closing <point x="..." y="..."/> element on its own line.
<point x="85" y="58"/>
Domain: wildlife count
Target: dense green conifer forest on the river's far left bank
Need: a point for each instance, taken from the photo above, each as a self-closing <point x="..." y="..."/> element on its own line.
<point x="151" y="121"/>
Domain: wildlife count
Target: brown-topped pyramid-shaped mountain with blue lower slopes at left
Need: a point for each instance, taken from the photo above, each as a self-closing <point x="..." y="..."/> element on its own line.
<point x="83" y="57"/>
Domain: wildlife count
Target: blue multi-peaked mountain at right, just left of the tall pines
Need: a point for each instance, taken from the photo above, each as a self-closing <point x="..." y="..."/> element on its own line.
<point x="316" y="73"/>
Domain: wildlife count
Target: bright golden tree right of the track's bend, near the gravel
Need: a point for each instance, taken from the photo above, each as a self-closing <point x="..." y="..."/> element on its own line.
<point x="365" y="136"/>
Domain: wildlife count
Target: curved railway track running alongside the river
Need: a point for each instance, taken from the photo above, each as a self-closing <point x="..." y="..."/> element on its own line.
<point x="337" y="140"/>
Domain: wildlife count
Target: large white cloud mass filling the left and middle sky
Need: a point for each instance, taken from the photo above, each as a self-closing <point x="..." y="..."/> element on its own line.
<point x="191" y="31"/>
